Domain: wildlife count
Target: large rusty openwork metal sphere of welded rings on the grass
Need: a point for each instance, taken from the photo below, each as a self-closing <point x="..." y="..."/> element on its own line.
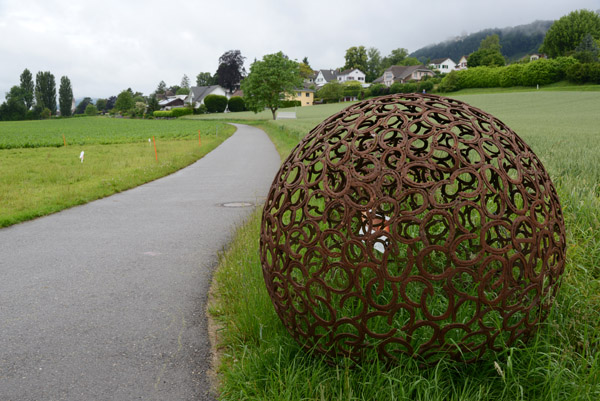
<point x="412" y="224"/>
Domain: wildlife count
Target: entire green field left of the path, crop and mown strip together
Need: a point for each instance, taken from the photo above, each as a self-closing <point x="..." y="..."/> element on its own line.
<point x="39" y="175"/>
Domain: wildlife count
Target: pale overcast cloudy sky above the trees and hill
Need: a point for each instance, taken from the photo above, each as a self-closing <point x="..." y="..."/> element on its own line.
<point x="107" y="46"/>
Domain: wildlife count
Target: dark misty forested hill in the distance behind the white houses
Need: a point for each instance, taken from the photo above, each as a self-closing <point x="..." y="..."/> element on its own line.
<point x="516" y="42"/>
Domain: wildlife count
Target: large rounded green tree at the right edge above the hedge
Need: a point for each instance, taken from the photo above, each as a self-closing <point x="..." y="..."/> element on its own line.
<point x="565" y="34"/>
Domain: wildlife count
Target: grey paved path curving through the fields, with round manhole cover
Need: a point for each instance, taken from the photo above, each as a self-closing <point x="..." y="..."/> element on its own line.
<point x="107" y="301"/>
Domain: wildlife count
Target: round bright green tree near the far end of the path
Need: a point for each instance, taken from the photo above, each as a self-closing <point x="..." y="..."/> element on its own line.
<point x="270" y="81"/>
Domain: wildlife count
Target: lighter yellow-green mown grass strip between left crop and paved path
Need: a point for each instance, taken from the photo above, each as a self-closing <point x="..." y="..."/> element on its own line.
<point x="39" y="181"/>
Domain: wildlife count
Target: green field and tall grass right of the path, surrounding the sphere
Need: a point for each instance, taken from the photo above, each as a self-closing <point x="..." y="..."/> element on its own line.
<point x="260" y="361"/>
